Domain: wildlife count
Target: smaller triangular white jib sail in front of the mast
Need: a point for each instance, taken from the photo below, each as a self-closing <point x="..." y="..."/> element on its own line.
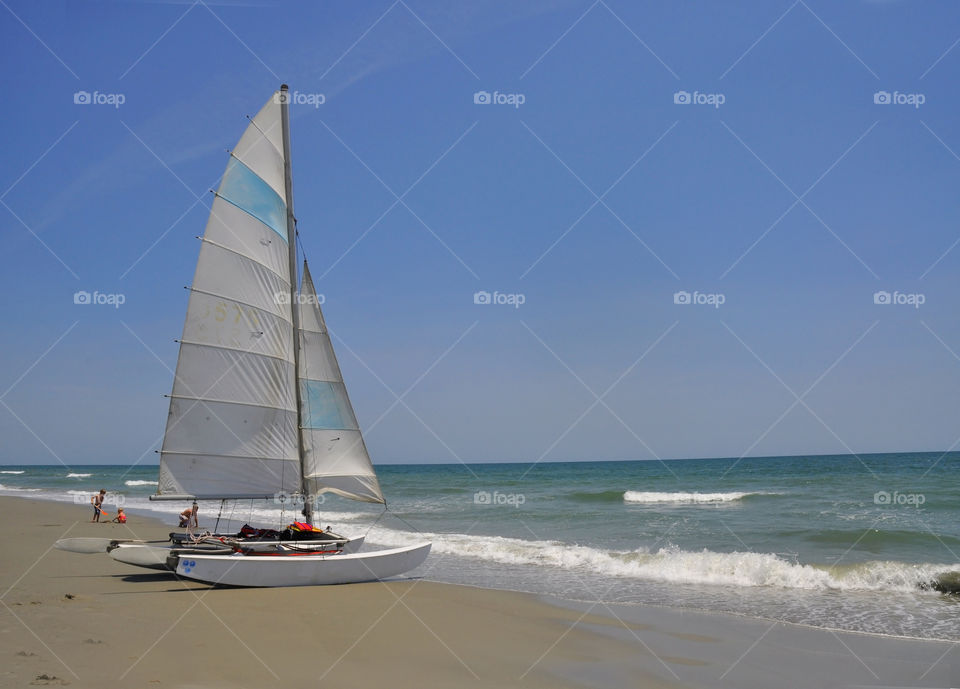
<point x="335" y="458"/>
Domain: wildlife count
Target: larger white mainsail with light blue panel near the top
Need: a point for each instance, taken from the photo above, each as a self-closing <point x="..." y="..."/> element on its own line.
<point x="232" y="426"/>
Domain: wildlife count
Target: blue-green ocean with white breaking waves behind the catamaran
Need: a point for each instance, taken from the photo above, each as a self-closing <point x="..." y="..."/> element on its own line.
<point x="841" y="542"/>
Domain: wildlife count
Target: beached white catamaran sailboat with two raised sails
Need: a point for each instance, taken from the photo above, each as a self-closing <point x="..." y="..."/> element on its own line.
<point x="259" y="409"/>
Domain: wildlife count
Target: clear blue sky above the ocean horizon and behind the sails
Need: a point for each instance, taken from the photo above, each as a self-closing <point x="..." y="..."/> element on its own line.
<point x="796" y="199"/>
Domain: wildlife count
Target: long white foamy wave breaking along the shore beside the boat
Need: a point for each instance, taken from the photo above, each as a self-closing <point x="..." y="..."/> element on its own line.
<point x="677" y="566"/>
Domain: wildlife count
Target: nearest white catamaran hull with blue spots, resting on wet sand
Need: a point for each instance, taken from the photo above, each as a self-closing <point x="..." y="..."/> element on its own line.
<point x="303" y="570"/>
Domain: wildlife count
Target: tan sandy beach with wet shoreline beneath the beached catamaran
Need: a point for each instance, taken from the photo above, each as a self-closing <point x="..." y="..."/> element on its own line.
<point x="86" y="620"/>
